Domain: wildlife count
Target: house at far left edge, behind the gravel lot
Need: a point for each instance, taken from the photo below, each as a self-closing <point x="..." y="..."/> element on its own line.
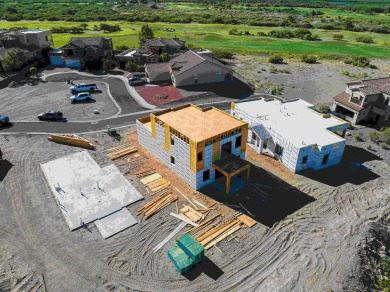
<point x="32" y="42"/>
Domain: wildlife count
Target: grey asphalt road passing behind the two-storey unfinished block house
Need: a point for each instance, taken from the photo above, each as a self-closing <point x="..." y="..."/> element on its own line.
<point x="84" y="127"/>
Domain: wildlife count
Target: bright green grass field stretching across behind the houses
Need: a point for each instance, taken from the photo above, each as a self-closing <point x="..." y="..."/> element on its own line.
<point x="216" y="36"/>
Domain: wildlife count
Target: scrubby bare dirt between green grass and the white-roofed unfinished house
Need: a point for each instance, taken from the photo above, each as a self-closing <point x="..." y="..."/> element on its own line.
<point x="315" y="83"/>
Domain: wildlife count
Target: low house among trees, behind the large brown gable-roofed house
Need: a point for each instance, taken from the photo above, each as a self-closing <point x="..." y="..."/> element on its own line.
<point x="150" y="51"/>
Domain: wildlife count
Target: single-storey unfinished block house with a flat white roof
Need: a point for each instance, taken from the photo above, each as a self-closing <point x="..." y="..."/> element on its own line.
<point x="293" y="132"/>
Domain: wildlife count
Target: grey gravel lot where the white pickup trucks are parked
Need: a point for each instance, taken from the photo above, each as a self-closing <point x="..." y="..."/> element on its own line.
<point x="26" y="102"/>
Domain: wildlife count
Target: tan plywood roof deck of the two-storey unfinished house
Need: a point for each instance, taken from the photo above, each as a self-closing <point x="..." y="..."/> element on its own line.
<point x="200" y="125"/>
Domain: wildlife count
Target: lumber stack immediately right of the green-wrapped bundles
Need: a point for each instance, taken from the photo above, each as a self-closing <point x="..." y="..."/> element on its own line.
<point x="211" y="236"/>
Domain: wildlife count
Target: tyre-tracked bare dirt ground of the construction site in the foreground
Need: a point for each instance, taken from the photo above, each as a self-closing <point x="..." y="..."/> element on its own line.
<point x="315" y="248"/>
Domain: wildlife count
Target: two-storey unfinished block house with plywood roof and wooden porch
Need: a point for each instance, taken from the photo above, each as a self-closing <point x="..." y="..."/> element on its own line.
<point x="199" y="145"/>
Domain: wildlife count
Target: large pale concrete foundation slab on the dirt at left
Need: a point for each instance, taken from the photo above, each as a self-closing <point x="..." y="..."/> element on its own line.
<point x="84" y="191"/>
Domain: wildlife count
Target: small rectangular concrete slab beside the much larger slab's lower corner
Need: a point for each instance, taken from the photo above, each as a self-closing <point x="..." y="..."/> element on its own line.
<point x="115" y="223"/>
